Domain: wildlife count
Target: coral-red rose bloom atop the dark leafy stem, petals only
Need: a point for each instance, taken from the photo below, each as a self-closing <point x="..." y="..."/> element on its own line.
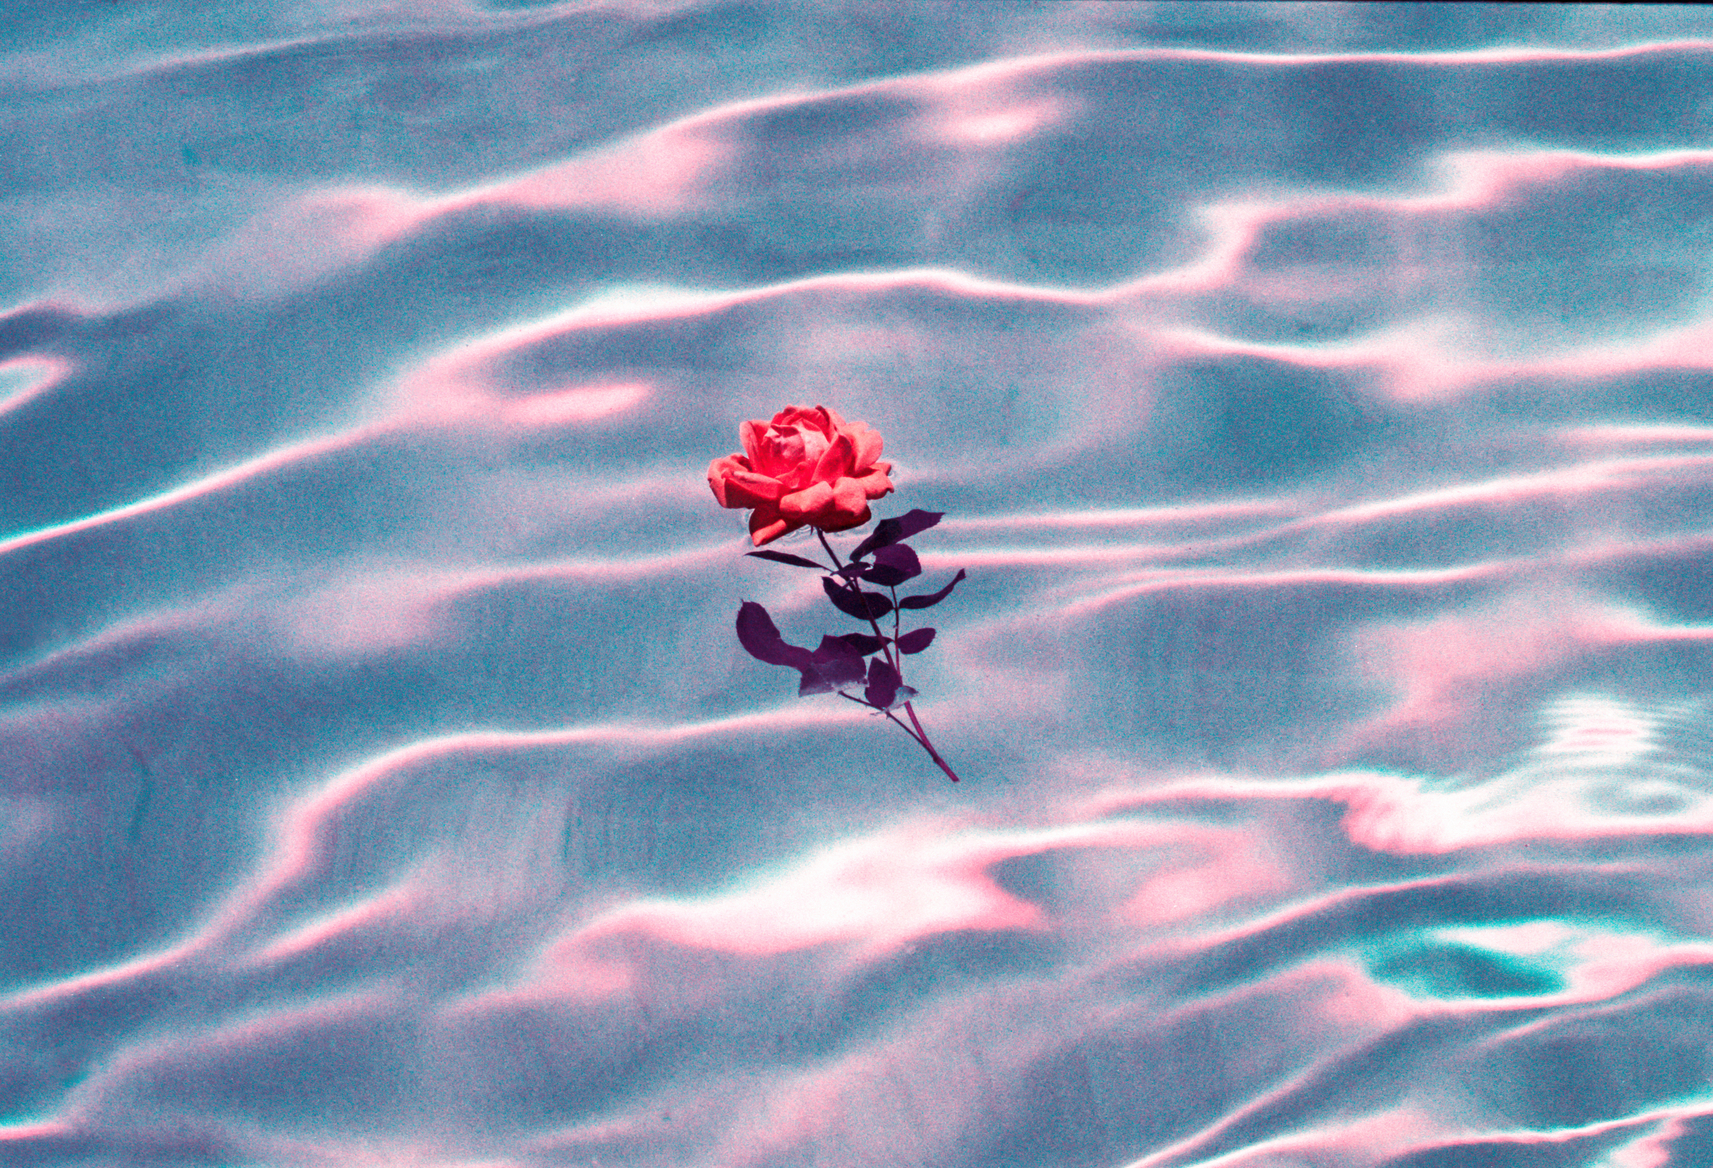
<point x="808" y="468"/>
